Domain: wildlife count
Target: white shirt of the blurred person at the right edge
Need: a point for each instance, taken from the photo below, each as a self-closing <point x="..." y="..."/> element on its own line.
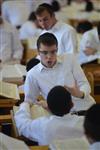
<point x="89" y="39"/>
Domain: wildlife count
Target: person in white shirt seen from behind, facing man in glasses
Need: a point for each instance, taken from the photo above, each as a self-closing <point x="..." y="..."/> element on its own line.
<point x="59" y="124"/>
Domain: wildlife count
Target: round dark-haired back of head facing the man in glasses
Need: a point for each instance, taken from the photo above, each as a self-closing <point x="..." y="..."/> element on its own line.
<point x="59" y="101"/>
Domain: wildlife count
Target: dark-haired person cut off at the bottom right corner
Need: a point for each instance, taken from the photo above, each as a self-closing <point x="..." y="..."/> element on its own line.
<point x="92" y="126"/>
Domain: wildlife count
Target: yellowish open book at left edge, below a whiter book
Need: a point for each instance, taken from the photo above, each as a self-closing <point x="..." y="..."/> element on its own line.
<point x="9" y="90"/>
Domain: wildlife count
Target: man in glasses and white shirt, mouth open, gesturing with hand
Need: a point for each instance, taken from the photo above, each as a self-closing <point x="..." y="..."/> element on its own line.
<point x="56" y="70"/>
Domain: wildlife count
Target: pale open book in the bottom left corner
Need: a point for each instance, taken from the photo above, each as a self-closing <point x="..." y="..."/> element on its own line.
<point x="9" y="143"/>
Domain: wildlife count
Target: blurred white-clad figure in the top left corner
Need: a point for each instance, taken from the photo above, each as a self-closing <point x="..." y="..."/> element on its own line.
<point x="16" y="12"/>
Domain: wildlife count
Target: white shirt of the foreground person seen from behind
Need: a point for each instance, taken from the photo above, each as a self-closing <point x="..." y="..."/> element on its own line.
<point x="47" y="128"/>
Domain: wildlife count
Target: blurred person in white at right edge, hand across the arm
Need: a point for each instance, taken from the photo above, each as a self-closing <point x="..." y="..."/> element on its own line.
<point x="90" y="46"/>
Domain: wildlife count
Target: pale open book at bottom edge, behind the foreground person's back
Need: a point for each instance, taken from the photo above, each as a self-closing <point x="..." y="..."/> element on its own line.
<point x="70" y="144"/>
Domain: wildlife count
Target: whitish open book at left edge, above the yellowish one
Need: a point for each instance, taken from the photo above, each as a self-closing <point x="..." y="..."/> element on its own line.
<point x="13" y="72"/>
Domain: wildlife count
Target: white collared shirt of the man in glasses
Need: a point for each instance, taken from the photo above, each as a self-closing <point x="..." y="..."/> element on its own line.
<point x="65" y="72"/>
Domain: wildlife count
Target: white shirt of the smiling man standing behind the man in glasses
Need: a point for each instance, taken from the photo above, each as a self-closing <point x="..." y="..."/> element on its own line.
<point x="66" y="36"/>
